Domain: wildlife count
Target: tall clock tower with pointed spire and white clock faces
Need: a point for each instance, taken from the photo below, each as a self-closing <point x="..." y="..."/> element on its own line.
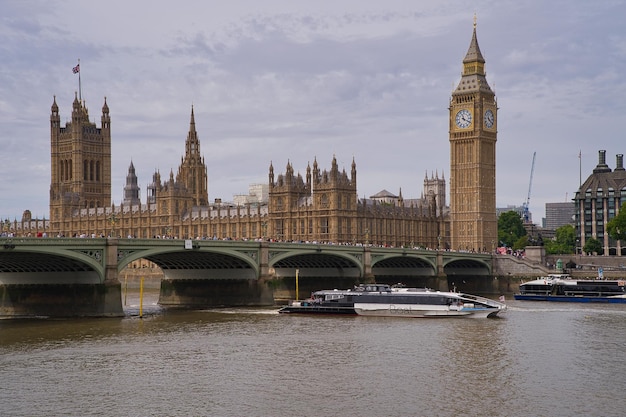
<point x="473" y="134"/>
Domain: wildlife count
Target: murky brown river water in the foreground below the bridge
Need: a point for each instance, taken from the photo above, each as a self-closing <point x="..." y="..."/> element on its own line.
<point x="539" y="359"/>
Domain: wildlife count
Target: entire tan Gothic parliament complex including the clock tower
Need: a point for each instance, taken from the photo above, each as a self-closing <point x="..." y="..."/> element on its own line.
<point x="323" y="206"/>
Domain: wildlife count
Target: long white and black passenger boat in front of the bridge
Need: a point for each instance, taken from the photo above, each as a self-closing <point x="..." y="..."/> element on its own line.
<point x="395" y="301"/>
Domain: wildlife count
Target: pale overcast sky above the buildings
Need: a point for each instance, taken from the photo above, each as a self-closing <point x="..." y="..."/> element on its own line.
<point x="288" y="81"/>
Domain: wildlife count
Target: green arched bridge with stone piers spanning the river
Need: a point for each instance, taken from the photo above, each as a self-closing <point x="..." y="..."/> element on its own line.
<point x="80" y="277"/>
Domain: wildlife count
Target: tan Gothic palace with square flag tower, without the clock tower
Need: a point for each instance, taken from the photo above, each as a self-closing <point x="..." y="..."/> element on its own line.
<point x="323" y="208"/>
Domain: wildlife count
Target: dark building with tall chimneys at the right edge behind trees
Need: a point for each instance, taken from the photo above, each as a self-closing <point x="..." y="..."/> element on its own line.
<point x="597" y="201"/>
